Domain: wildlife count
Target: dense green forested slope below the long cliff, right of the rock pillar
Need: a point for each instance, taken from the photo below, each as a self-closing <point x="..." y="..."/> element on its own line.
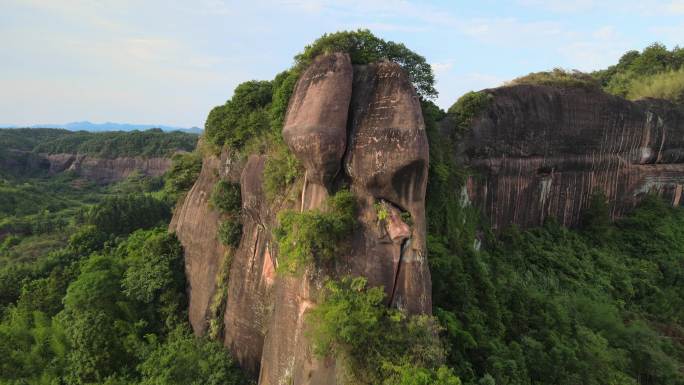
<point x="597" y="305"/>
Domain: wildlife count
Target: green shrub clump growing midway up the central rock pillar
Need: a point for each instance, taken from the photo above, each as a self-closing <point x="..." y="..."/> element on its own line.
<point x="315" y="235"/>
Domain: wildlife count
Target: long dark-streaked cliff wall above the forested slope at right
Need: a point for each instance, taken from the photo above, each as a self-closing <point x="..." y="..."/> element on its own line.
<point x="540" y="152"/>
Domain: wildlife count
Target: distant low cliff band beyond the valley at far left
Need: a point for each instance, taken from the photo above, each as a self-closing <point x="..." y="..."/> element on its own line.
<point x="103" y="170"/>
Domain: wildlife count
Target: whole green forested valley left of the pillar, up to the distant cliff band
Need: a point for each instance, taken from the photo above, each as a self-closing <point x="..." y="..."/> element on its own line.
<point x="92" y="286"/>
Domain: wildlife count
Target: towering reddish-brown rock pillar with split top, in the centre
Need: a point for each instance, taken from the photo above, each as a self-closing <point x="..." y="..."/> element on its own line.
<point x="356" y="126"/>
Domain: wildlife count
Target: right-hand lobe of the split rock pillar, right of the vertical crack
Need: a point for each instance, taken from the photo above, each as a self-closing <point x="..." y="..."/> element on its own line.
<point x="387" y="159"/>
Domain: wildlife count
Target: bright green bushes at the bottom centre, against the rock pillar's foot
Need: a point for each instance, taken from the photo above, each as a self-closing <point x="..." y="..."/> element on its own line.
<point x="378" y="344"/>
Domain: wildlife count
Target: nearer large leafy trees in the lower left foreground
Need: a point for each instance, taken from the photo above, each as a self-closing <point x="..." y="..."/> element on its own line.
<point x="105" y="309"/>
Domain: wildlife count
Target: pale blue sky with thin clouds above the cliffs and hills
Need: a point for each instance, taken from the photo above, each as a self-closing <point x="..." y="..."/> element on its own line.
<point x="170" y="61"/>
